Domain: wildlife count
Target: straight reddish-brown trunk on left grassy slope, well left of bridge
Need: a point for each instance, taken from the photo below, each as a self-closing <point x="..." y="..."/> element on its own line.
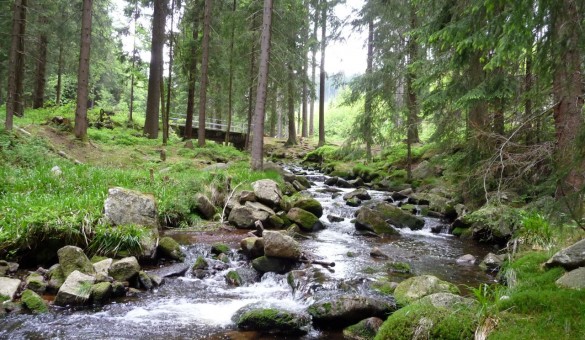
<point x="83" y="73"/>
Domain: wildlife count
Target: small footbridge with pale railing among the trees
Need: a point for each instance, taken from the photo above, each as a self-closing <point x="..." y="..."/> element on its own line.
<point x="215" y="130"/>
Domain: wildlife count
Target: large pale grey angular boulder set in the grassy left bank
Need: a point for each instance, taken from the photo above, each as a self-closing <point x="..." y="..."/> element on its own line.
<point x="129" y="207"/>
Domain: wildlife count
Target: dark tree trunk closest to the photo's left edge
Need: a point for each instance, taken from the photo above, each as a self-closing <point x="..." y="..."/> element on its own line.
<point x="12" y="65"/>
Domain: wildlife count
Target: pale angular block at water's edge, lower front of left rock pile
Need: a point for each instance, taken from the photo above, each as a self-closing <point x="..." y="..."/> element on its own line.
<point x="76" y="290"/>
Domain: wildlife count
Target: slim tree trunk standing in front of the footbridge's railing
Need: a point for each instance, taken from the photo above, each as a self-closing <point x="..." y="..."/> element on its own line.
<point x="204" y="69"/>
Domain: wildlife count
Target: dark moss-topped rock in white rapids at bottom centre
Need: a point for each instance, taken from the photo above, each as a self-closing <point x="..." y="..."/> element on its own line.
<point x="274" y="321"/>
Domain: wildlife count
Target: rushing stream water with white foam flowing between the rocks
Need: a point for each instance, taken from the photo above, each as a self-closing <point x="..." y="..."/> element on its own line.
<point x="192" y="308"/>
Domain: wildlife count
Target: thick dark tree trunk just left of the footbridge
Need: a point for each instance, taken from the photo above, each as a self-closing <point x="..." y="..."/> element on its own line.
<point x="154" y="77"/>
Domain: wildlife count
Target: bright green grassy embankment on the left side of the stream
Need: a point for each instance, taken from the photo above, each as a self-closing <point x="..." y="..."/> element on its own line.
<point x="38" y="208"/>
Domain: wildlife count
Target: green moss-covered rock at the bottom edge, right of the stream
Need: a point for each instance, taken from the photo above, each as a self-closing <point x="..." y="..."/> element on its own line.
<point x="422" y="320"/>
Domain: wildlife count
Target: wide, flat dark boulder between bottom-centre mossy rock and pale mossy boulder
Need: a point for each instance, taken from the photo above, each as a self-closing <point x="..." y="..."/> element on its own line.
<point x="346" y="310"/>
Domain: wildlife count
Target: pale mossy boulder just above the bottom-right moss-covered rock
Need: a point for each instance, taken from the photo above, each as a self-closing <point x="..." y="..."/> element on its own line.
<point x="417" y="287"/>
